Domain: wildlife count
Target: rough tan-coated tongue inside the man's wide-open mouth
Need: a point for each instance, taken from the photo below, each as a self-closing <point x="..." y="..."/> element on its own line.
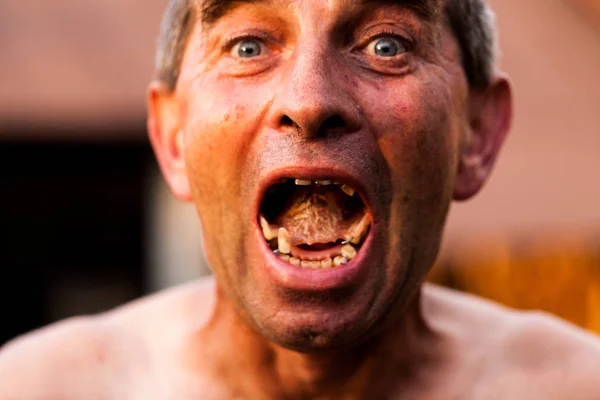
<point x="314" y="215"/>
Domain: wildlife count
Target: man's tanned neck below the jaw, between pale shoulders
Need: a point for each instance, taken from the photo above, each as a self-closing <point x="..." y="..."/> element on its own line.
<point x="381" y="364"/>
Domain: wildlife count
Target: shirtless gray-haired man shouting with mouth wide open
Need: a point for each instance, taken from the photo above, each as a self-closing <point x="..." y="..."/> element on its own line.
<point x="321" y="142"/>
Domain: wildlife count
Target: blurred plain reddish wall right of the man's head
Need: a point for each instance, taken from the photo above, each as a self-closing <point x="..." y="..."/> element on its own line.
<point x="548" y="178"/>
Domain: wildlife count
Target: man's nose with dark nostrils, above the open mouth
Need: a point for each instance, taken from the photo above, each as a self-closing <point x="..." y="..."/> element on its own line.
<point x="314" y="100"/>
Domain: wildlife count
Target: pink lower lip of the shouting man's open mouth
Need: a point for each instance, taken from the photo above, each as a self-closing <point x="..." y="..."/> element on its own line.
<point x="304" y="279"/>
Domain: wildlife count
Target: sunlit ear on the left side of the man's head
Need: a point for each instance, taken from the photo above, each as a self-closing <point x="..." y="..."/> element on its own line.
<point x="167" y="139"/>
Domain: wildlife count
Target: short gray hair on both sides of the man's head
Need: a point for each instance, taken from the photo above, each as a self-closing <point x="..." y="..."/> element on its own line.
<point x="471" y="22"/>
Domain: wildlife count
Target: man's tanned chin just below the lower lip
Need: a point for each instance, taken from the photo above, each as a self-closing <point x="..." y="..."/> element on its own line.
<point x="317" y="319"/>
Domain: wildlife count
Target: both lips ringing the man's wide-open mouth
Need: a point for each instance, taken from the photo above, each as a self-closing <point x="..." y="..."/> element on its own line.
<point x="304" y="279"/>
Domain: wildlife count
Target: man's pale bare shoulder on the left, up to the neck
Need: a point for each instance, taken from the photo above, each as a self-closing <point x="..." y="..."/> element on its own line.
<point x="84" y="355"/>
